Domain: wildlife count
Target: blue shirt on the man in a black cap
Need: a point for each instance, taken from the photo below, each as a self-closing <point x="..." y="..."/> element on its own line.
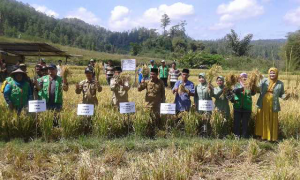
<point x="183" y="101"/>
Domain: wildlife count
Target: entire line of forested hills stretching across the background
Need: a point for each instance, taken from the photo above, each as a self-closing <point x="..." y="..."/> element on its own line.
<point x="20" y="20"/>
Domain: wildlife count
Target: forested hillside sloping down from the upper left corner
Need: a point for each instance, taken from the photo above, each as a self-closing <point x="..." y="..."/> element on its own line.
<point x="17" y="19"/>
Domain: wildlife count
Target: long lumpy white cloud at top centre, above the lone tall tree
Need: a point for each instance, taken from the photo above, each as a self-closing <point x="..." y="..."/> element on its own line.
<point x="121" y="19"/>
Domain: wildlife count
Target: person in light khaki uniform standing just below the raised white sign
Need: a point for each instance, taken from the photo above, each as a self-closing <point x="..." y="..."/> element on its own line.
<point x="120" y="87"/>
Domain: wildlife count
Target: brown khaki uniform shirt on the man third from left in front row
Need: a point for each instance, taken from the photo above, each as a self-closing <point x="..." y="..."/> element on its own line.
<point x="89" y="90"/>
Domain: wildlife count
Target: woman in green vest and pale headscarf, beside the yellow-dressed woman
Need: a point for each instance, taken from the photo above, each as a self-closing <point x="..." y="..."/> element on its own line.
<point x="242" y="107"/>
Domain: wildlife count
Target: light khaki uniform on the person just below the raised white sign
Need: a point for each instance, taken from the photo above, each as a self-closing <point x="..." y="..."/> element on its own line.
<point x="120" y="92"/>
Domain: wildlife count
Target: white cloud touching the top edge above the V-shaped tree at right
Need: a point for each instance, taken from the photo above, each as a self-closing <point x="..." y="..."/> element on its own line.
<point x="237" y="10"/>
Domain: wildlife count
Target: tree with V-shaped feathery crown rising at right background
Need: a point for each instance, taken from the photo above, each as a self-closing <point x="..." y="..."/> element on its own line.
<point x="239" y="47"/>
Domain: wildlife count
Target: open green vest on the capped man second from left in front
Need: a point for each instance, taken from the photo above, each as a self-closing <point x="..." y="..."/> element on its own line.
<point x="44" y="93"/>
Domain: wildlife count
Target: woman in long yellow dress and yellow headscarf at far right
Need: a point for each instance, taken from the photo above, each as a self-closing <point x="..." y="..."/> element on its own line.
<point x="271" y="89"/>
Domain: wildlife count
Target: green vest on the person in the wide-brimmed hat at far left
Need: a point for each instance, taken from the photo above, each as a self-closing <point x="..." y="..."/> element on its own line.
<point x="19" y="96"/>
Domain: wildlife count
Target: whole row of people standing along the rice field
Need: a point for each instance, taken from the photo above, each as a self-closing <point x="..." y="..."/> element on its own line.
<point x="48" y="84"/>
